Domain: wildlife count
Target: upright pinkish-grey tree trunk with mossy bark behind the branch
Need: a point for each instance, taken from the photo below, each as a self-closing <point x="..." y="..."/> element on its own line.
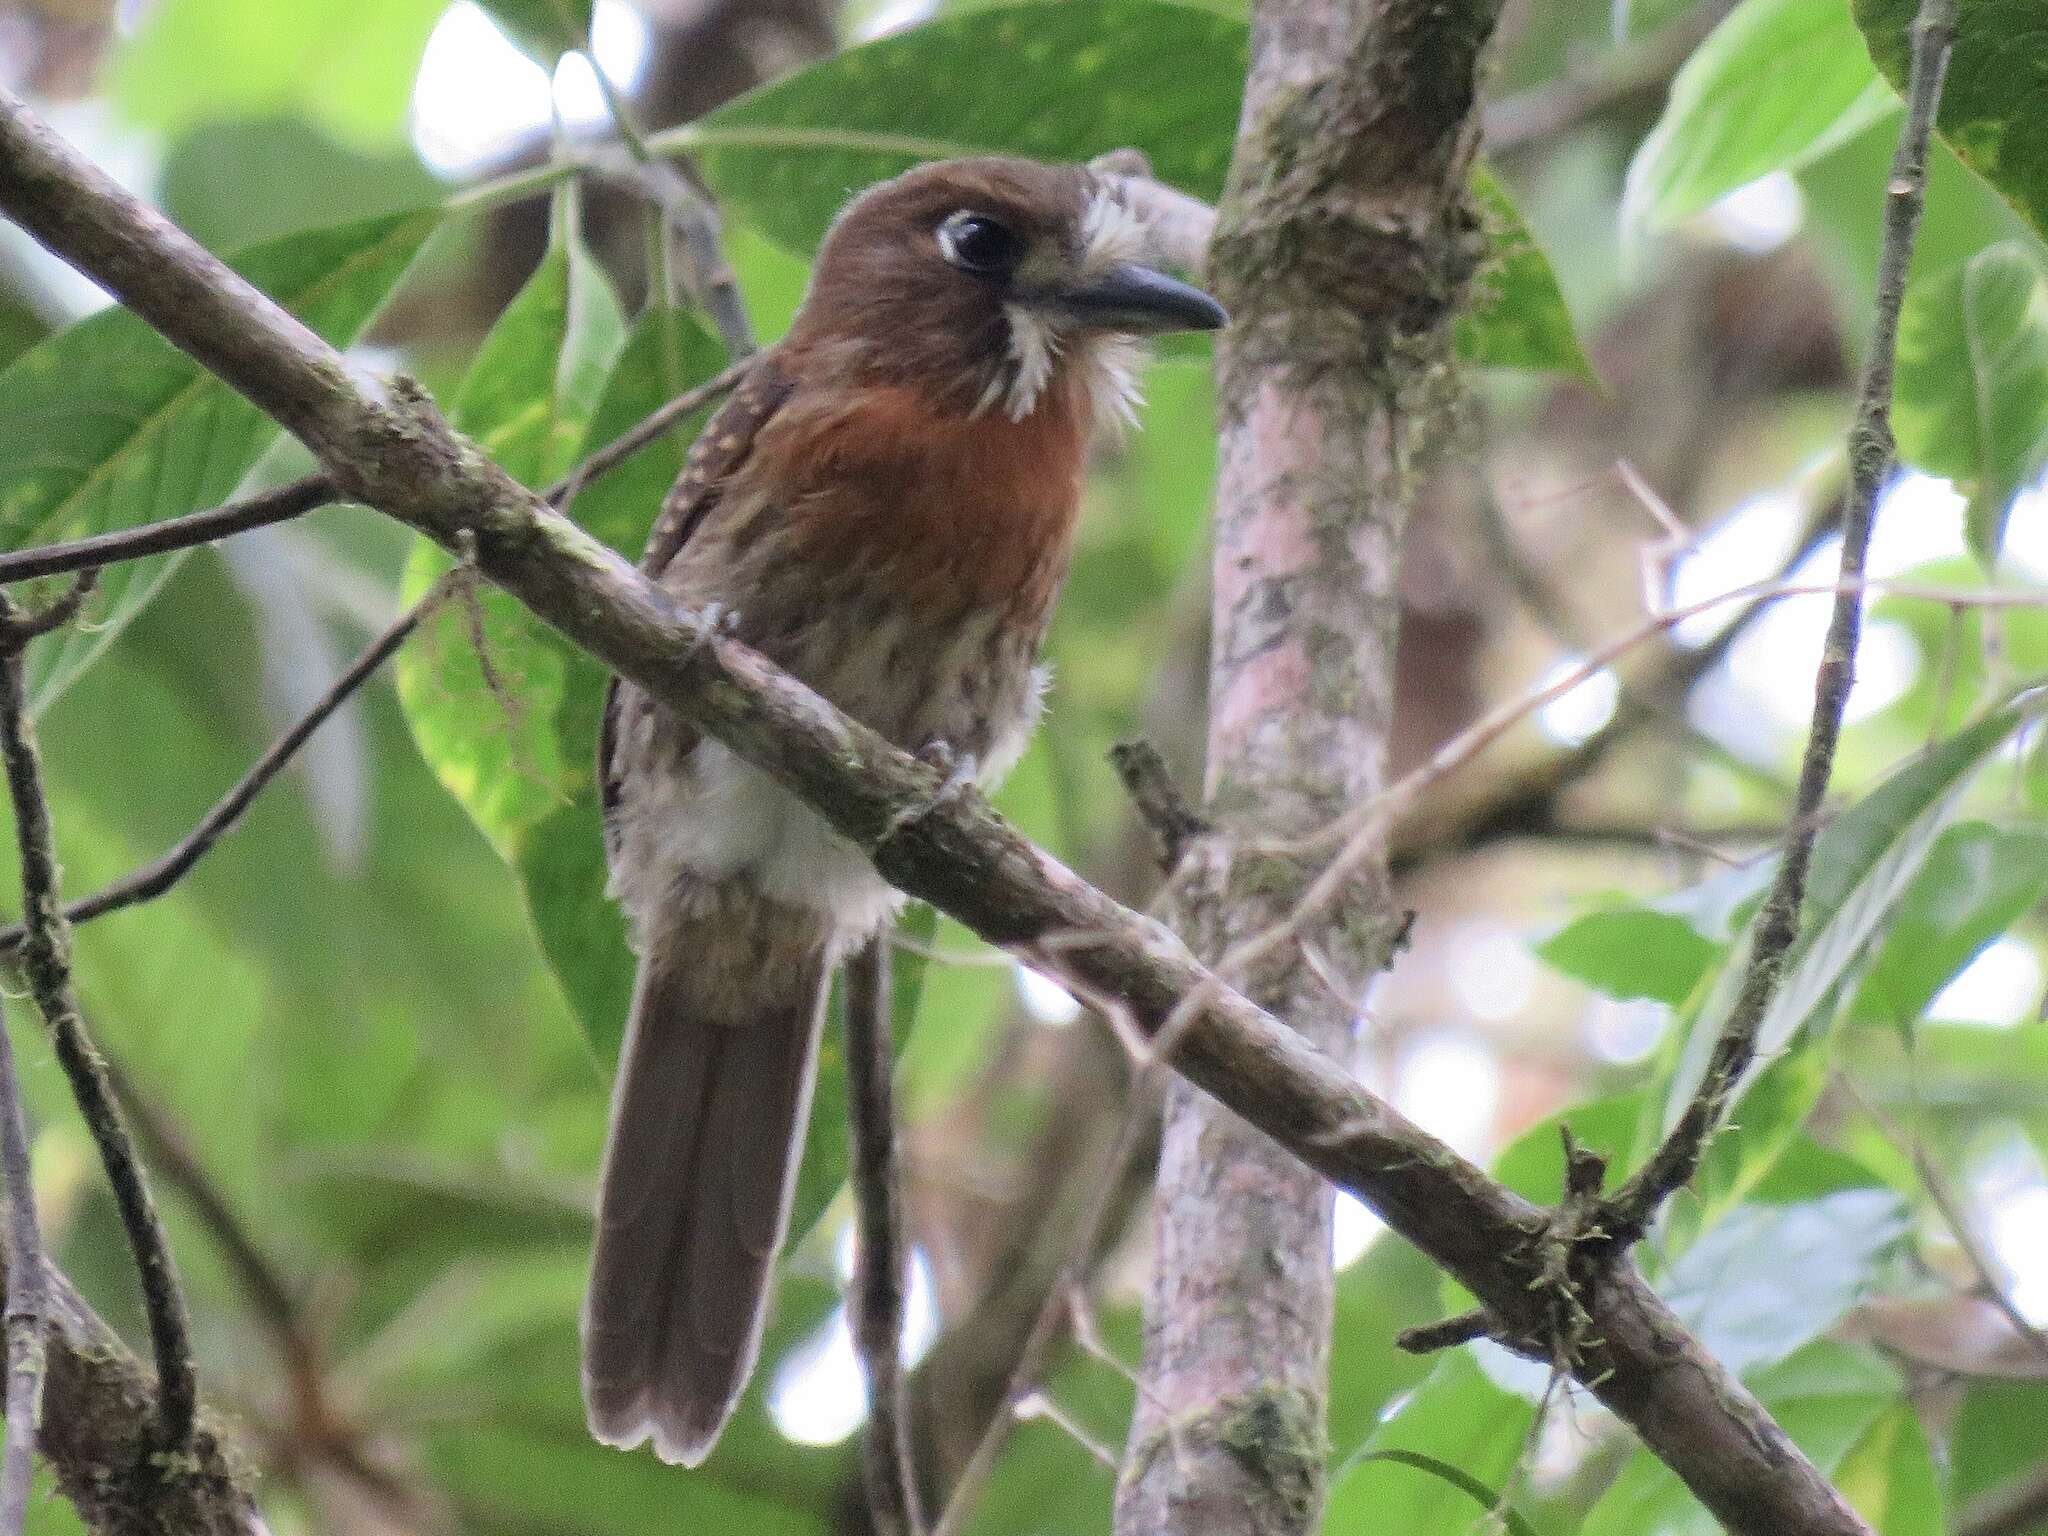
<point x="1342" y="249"/>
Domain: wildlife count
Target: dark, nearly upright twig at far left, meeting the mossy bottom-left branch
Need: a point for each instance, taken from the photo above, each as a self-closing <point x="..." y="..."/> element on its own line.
<point x="48" y="968"/>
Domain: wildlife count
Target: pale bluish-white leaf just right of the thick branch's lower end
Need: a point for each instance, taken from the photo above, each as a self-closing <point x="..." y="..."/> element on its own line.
<point x="1768" y="1279"/>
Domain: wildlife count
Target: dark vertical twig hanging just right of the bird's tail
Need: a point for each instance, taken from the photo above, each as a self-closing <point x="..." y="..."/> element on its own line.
<point x="880" y="1250"/>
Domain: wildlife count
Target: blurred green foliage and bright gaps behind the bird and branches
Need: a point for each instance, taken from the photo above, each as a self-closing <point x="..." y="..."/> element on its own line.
<point x="384" y="1033"/>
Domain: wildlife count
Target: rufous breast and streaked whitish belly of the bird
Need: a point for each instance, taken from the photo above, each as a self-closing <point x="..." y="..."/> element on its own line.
<point x="916" y="607"/>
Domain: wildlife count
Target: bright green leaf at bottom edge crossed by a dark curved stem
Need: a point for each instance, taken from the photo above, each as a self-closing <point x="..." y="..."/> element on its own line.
<point x="1459" y="1418"/>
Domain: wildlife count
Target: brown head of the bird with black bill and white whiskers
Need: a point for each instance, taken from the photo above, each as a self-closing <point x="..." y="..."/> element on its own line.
<point x="996" y="286"/>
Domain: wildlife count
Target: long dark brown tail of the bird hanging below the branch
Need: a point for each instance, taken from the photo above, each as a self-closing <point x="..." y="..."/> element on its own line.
<point x="699" y="1170"/>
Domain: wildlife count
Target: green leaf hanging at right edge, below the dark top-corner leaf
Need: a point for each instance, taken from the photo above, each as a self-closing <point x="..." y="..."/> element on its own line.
<point x="1973" y="384"/>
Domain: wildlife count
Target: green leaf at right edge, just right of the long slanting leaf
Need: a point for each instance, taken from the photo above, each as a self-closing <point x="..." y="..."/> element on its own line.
<point x="1977" y="884"/>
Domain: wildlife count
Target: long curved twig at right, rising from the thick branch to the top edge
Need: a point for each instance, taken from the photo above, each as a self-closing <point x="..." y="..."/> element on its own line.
<point x="1871" y="460"/>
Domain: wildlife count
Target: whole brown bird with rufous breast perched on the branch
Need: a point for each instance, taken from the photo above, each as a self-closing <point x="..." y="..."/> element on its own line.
<point x="886" y="509"/>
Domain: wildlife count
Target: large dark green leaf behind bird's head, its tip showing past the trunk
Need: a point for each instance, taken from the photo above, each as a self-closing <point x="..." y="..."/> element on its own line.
<point x="1060" y="83"/>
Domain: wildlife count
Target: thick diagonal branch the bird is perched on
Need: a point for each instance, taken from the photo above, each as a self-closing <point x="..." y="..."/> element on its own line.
<point x="953" y="851"/>
